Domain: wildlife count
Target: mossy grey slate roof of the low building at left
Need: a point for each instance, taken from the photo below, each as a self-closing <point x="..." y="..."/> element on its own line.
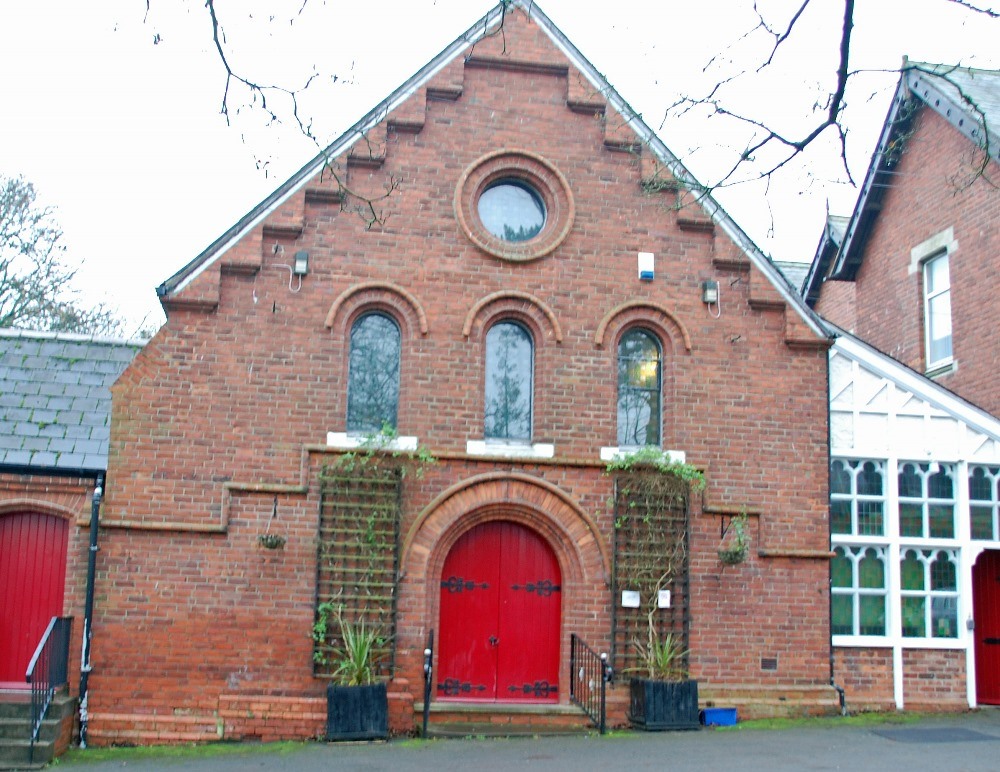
<point x="55" y="398"/>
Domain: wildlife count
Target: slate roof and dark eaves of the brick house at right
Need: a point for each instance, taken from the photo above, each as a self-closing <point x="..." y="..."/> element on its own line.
<point x="967" y="98"/>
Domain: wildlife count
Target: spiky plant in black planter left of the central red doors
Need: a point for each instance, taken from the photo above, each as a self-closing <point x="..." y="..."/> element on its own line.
<point x="357" y="702"/>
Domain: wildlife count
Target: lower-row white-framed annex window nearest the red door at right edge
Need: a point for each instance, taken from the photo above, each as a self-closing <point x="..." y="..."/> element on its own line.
<point x="929" y="593"/>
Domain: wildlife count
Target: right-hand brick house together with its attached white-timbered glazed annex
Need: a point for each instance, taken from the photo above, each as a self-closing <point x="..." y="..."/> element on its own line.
<point x="915" y="463"/>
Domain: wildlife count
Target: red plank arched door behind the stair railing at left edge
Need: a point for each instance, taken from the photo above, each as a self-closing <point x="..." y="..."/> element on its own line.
<point x="32" y="583"/>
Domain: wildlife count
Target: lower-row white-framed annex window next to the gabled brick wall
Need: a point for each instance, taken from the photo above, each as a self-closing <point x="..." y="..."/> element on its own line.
<point x="859" y="592"/>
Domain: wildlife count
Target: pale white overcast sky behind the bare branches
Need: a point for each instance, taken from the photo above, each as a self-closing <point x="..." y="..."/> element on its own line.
<point x="112" y="110"/>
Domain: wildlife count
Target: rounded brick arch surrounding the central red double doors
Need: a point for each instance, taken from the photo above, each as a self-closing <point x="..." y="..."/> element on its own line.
<point x="580" y="549"/>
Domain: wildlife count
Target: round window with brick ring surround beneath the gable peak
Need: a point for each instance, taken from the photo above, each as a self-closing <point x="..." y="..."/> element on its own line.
<point x="514" y="205"/>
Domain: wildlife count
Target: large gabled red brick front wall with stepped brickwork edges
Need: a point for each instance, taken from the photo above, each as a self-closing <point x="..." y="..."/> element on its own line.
<point x="201" y="634"/>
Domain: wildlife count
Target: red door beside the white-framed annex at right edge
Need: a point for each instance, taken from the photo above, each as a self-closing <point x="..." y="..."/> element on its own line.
<point x="986" y="612"/>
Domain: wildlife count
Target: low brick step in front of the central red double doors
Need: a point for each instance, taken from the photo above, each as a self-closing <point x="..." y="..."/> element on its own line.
<point x="451" y="719"/>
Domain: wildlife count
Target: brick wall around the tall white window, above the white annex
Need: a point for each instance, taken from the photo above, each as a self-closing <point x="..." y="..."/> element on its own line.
<point x="935" y="188"/>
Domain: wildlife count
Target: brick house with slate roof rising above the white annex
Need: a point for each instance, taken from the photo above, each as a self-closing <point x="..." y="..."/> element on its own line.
<point x="923" y="241"/>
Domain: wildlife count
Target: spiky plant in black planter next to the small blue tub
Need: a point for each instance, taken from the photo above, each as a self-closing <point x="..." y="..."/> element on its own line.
<point x="662" y="696"/>
